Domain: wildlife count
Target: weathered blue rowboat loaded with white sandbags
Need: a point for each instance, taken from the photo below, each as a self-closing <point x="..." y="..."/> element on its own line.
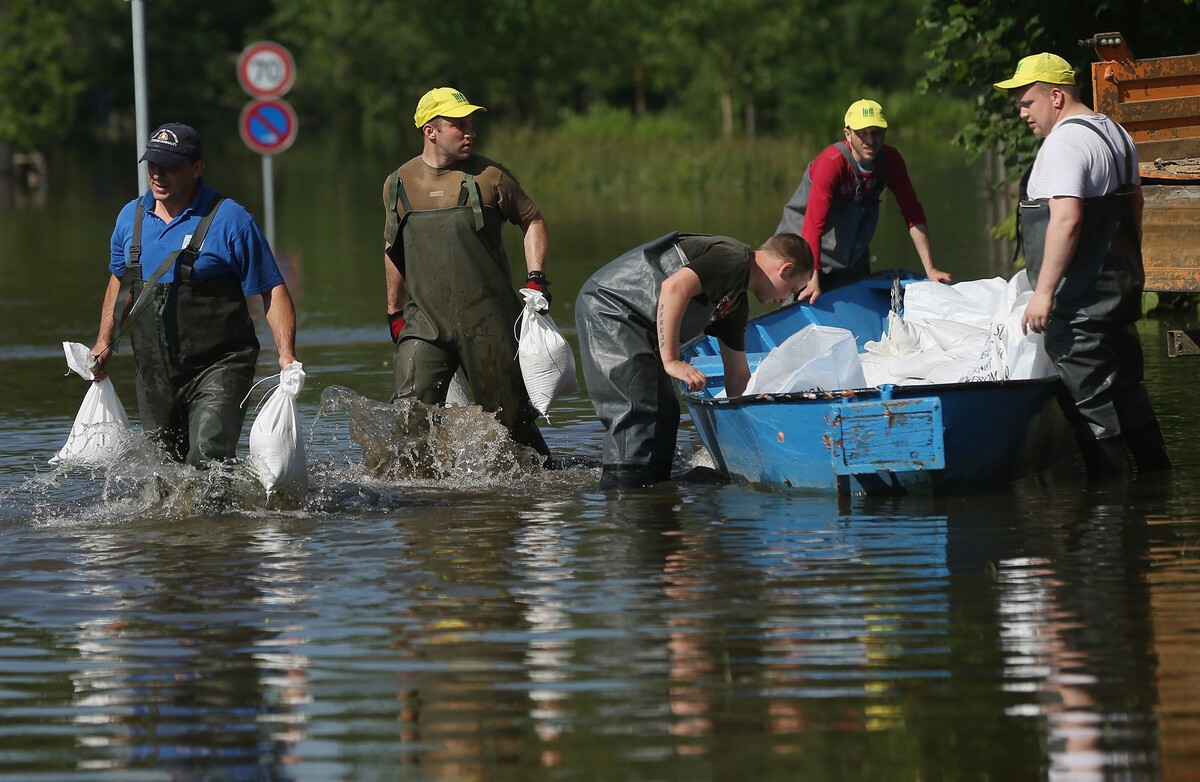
<point x="891" y="440"/>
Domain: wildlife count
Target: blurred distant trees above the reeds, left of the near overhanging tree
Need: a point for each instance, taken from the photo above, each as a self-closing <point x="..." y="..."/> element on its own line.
<point x="721" y="68"/>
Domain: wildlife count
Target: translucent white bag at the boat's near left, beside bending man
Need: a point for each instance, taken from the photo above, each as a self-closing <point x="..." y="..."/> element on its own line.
<point x="813" y="359"/>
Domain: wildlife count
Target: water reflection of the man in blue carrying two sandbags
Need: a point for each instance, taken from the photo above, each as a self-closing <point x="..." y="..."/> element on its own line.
<point x="176" y="666"/>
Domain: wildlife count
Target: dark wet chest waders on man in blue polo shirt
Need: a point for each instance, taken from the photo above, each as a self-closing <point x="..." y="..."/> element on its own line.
<point x="195" y="348"/>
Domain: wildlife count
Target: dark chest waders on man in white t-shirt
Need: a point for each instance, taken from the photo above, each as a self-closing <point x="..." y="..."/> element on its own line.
<point x="1091" y="336"/>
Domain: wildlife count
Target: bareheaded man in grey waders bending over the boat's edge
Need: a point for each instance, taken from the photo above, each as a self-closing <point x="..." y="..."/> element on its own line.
<point x="634" y="314"/>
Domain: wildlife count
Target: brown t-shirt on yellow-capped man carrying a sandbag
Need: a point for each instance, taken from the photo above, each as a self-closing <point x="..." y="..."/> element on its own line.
<point x="430" y="188"/>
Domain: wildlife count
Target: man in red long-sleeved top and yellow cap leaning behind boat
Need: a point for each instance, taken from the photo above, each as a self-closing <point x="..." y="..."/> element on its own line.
<point x="837" y="206"/>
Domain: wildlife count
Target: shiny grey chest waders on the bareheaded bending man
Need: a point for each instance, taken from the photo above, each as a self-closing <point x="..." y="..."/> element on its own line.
<point x="633" y="395"/>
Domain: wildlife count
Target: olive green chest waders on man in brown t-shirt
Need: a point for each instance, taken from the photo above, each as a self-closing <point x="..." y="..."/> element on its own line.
<point x="460" y="309"/>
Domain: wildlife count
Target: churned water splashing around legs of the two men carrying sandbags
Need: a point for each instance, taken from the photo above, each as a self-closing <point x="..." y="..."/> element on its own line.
<point x="365" y="458"/>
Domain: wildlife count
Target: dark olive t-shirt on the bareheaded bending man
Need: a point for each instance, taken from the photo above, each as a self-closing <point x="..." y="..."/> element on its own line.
<point x="723" y="266"/>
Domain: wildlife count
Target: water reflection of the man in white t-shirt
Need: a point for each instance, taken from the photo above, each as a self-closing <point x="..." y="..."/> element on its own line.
<point x="1076" y="635"/>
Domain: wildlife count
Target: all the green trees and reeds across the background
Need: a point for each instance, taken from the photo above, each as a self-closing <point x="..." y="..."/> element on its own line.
<point x="701" y="79"/>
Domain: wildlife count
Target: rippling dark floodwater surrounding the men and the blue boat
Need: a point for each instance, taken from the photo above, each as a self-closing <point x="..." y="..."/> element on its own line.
<point x="442" y="607"/>
